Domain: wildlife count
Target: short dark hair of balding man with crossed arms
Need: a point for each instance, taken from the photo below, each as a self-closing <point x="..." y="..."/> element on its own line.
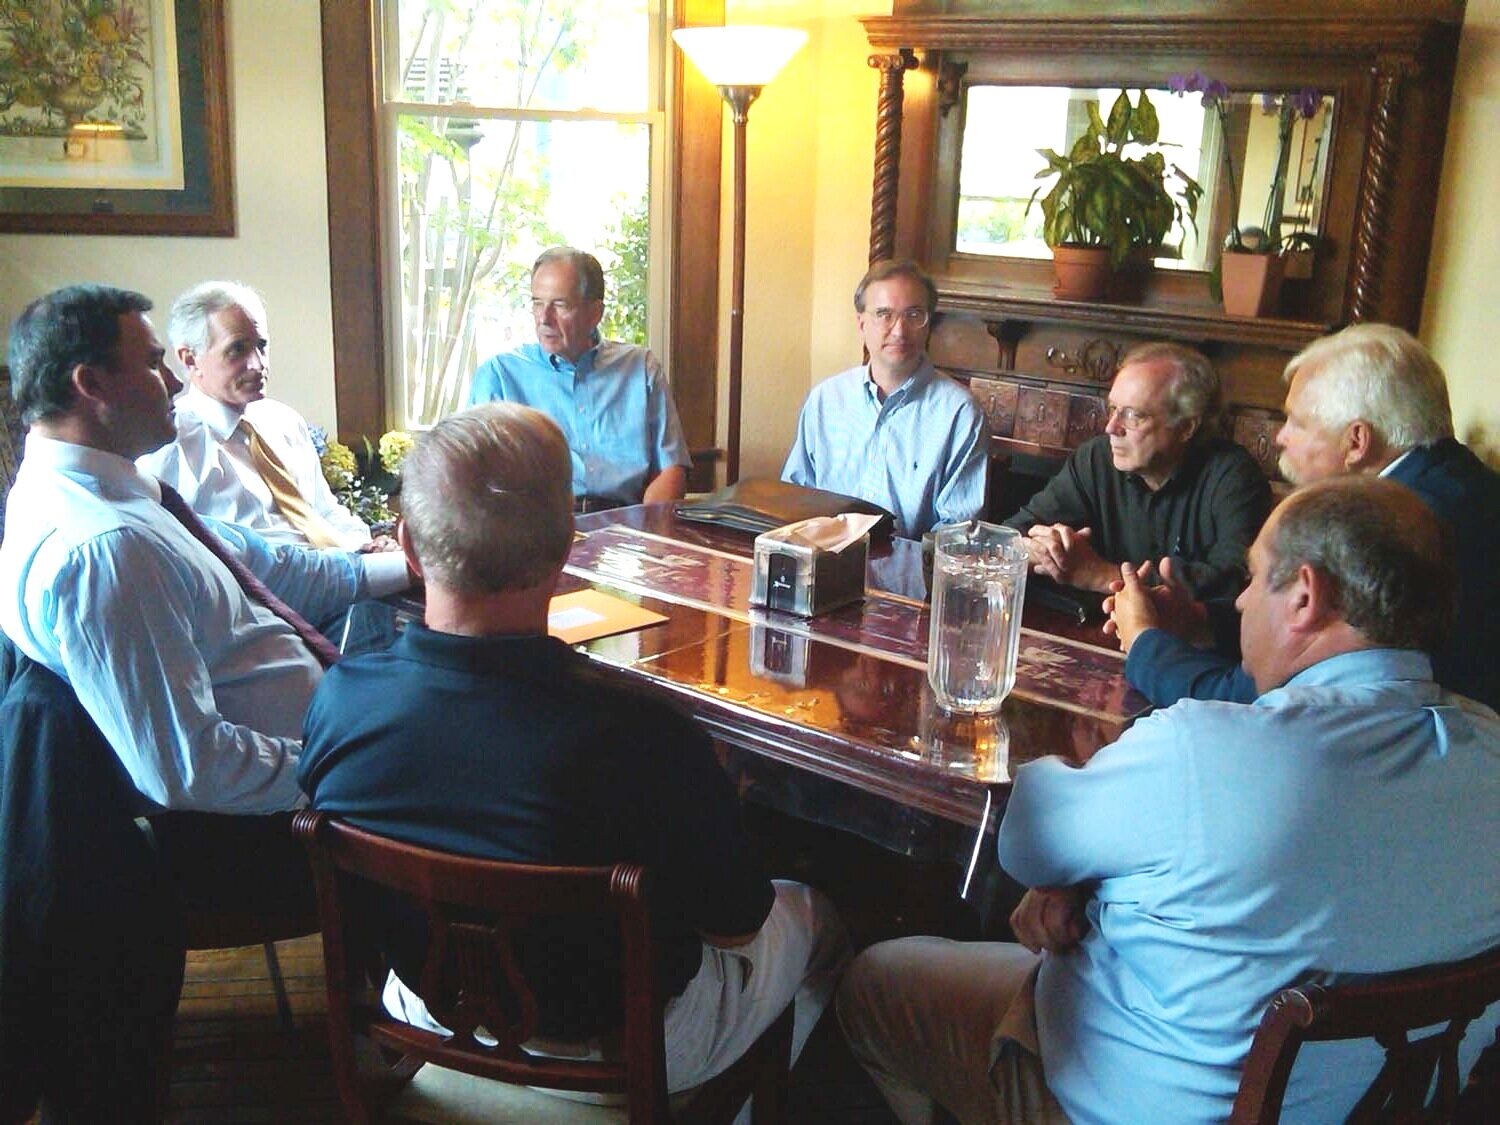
<point x="1388" y="556"/>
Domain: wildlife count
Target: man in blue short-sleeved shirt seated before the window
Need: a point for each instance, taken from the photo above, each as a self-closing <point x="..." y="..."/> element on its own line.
<point x="611" y="400"/>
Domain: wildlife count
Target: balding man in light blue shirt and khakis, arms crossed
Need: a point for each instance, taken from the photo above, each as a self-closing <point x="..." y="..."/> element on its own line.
<point x="1217" y="853"/>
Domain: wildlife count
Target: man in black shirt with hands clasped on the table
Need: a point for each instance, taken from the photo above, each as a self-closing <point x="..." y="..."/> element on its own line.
<point x="1159" y="484"/>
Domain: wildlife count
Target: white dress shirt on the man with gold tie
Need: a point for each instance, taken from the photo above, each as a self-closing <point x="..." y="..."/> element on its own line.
<point x="211" y="466"/>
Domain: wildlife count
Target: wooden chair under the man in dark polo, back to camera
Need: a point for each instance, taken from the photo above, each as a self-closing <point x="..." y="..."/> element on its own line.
<point x="473" y="980"/>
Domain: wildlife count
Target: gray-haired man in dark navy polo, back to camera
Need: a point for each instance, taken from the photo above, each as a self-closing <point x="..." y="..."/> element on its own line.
<point x="481" y="734"/>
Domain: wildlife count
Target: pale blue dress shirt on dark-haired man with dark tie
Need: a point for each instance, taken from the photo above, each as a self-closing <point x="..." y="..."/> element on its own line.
<point x="200" y="691"/>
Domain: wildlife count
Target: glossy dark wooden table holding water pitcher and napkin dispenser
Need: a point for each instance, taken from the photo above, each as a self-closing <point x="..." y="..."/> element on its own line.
<point x="832" y="719"/>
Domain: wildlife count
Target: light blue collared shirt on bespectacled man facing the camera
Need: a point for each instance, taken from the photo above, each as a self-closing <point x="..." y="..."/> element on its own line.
<point x="922" y="454"/>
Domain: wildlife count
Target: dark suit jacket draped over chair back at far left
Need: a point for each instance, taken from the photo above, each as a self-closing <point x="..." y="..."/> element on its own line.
<point x="91" y="931"/>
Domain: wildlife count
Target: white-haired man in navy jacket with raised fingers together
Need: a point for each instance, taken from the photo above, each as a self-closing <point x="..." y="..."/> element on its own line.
<point x="1370" y="401"/>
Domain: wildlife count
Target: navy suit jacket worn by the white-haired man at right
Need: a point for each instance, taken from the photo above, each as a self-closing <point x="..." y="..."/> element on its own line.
<point x="1465" y="493"/>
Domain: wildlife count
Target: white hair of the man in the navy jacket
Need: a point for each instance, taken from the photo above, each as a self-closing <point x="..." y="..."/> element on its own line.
<point x="1378" y="374"/>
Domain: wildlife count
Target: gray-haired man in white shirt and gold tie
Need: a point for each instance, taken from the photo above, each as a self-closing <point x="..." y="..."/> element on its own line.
<point x="248" y="460"/>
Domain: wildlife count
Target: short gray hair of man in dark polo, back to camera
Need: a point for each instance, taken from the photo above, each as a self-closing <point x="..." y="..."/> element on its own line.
<point x="488" y="499"/>
